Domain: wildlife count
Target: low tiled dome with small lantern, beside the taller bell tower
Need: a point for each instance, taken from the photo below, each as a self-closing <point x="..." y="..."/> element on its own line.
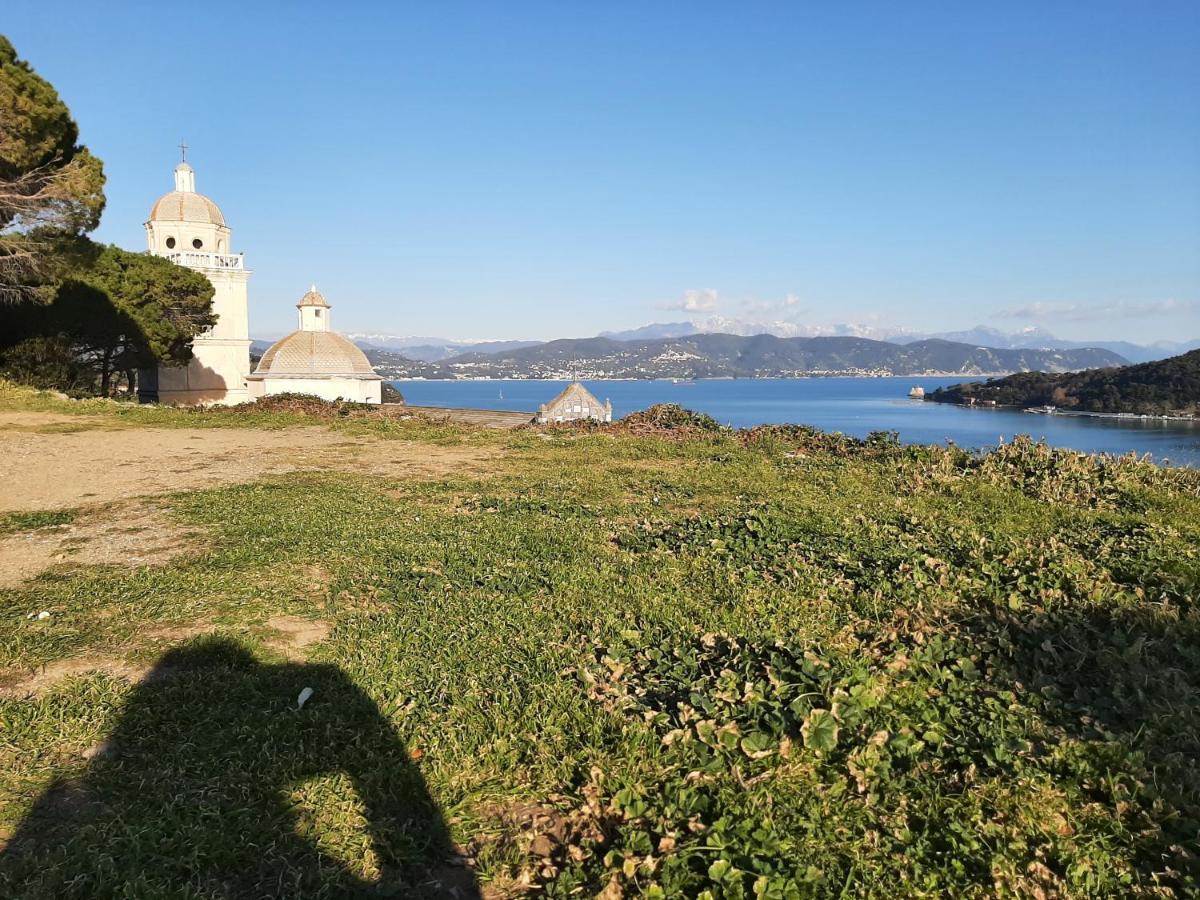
<point x="316" y="361"/>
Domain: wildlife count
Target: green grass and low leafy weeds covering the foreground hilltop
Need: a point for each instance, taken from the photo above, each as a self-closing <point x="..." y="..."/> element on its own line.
<point x="775" y="665"/>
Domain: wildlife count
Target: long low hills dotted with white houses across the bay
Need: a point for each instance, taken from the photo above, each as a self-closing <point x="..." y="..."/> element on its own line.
<point x="761" y="356"/>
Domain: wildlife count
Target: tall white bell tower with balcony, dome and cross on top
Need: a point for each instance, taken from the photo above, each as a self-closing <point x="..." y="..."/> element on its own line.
<point x="188" y="229"/>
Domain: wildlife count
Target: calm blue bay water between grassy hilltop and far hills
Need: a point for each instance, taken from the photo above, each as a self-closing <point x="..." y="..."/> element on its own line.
<point x="854" y="406"/>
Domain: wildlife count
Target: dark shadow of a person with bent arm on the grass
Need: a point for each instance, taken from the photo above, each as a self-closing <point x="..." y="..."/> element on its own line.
<point x="217" y="785"/>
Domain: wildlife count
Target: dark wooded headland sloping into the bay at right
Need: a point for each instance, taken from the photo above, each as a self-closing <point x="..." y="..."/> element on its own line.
<point x="1169" y="387"/>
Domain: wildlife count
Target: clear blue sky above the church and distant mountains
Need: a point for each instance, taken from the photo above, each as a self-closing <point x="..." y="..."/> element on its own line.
<point x="556" y="170"/>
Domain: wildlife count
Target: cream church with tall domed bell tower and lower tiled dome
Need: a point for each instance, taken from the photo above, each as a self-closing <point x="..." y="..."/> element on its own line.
<point x="190" y="230"/>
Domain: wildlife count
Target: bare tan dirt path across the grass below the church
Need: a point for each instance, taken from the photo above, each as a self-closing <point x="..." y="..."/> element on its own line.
<point x="51" y="461"/>
